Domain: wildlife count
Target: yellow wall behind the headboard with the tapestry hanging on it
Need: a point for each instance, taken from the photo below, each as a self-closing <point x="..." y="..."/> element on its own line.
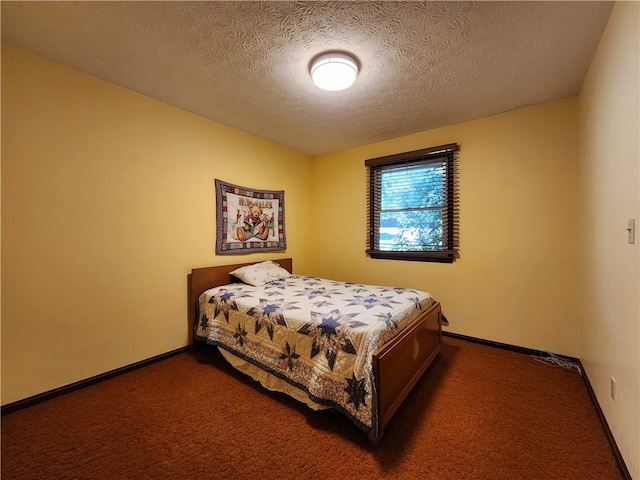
<point x="108" y="201"/>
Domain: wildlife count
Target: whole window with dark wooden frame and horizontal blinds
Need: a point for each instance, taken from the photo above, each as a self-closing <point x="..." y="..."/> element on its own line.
<point x="413" y="205"/>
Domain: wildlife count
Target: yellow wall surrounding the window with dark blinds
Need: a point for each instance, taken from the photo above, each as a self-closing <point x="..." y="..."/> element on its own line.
<point x="516" y="280"/>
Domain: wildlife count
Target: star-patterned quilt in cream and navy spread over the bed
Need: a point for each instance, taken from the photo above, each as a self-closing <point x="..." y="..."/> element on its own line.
<point x="317" y="335"/>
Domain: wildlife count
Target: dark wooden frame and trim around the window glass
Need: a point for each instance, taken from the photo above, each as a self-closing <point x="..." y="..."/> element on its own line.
<point x="447" y="154"/>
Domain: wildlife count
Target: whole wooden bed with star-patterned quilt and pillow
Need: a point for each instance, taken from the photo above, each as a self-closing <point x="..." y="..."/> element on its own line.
<point x="328" y="344"/>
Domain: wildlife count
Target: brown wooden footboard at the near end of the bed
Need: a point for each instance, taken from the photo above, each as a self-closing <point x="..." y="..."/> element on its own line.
<point x="399" y="364"/>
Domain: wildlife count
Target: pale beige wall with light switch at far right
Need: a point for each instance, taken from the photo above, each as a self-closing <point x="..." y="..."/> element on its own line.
<point x="610" y="196"/>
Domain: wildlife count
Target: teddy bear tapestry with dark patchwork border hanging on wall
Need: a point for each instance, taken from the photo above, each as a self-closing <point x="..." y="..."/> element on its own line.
<point x="248" y="220"/>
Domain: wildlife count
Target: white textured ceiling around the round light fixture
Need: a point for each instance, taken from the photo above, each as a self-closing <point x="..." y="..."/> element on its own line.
<point x="246" y="64"/>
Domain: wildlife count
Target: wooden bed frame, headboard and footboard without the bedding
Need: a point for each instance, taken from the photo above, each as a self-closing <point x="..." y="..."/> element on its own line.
<point x="397" y="365"/>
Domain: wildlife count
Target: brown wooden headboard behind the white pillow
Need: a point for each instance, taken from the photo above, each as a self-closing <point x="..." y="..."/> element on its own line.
<point x="201" y="279"/>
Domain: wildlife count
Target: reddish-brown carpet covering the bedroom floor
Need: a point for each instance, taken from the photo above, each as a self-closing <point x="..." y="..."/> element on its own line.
<point x="478" y="413"/>
